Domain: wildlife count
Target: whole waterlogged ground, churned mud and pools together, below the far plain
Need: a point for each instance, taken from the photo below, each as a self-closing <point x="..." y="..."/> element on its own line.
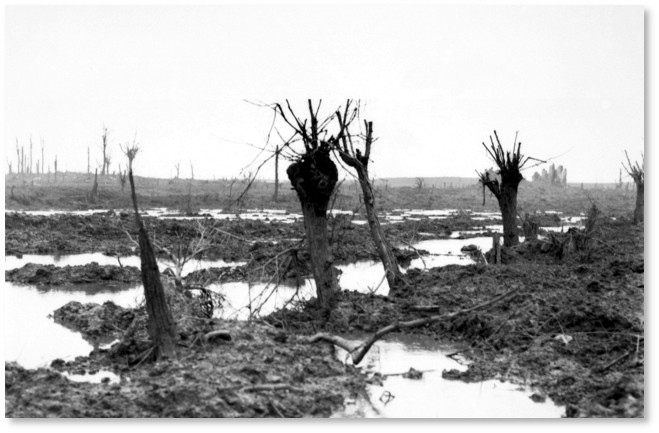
<point x="511" y="364"/>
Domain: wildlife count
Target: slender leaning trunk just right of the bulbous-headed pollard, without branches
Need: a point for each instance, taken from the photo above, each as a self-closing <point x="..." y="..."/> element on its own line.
<point x="391" y="269"/>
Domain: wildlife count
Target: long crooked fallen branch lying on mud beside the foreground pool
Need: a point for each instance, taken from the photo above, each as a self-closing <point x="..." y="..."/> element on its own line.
<point x="358" y="351"/>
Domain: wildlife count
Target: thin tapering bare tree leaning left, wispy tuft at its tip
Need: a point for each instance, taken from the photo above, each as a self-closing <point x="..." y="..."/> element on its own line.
<point x="162" y="328"/>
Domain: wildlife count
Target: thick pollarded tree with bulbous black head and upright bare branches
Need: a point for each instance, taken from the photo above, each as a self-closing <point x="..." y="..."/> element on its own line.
<point x="314" y="175"/>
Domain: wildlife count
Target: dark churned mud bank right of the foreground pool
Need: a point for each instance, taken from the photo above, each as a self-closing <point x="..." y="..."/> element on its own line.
<point x="574" y="330"/>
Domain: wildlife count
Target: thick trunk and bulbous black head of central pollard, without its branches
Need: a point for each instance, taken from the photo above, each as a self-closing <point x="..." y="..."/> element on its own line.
<point x="314" y="177"/>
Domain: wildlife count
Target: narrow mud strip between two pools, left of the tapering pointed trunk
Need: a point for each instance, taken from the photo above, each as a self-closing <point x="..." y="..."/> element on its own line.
<point x="51" y="275"/>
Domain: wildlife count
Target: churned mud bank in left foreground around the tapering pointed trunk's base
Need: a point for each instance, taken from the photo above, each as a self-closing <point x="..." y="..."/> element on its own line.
<point x="249" y="370"/>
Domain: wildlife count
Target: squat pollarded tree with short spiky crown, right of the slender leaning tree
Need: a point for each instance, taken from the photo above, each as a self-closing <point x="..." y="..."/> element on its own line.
<point x="504" y="184"/>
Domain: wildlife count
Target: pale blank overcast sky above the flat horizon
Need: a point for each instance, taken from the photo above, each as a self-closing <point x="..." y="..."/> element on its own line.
<point x="435" y="80"/>
